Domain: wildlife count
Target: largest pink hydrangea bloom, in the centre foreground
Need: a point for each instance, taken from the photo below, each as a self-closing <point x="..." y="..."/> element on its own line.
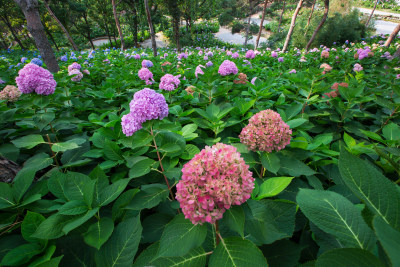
<point x="213" y="181"/>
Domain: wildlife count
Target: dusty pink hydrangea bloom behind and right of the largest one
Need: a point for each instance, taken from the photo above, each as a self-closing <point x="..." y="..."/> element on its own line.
<point x="266" y="131"/>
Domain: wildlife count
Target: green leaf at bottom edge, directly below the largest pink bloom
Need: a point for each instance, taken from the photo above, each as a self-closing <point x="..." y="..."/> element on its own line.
<point x="234" y="251"/>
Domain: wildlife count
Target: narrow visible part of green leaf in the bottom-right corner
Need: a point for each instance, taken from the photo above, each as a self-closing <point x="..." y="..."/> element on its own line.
<point x="389" y="238"/>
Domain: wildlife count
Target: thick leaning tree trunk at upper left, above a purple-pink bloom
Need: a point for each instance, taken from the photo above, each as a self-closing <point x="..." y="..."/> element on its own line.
<point x="35" y="27"/>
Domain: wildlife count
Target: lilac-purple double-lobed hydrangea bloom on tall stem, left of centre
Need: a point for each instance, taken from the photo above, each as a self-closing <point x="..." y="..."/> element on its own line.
<point x="146" y="105"/>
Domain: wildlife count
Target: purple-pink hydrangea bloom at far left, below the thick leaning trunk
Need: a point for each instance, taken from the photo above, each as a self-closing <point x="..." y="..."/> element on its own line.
<point x="33" y="78"/>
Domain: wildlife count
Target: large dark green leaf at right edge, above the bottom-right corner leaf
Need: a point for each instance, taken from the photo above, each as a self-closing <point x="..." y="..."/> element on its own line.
<point x="367" y="183"/>
